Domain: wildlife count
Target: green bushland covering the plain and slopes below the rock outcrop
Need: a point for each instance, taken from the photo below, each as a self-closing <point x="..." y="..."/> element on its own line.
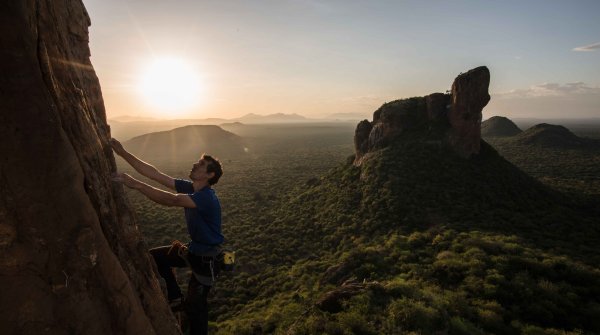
<point x="423" y="241"/>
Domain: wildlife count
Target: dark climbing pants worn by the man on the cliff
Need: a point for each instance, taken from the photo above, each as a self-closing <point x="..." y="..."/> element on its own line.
<point x="196" y="303"/>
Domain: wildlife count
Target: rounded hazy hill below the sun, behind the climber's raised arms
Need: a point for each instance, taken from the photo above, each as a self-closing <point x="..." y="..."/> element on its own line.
<point x="187" y="143"/>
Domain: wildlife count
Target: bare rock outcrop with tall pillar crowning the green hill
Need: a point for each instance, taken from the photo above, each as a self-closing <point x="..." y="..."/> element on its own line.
<point x="457" y="115"/>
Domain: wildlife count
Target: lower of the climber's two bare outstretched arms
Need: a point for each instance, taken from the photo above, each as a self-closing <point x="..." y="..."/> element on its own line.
<point x="157" y="195"/>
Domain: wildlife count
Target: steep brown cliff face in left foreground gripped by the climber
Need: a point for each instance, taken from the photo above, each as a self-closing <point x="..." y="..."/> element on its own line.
<point x="72" y="260"/>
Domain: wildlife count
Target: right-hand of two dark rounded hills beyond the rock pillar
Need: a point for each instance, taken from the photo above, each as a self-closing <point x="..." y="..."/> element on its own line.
<point x="547" y="135"/>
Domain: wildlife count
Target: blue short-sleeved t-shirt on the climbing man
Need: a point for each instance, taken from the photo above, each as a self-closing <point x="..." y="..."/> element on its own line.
<point x="204" y="221"/>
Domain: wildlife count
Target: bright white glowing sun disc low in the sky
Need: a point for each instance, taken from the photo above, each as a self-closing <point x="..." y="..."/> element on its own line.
<point x="171" y="85"/>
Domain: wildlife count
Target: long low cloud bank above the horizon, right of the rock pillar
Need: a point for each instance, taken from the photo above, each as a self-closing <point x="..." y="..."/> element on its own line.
<point x="550" y="90"/>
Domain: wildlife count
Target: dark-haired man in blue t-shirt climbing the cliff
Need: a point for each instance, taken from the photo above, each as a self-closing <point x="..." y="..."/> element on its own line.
<point x="203" y="217"/>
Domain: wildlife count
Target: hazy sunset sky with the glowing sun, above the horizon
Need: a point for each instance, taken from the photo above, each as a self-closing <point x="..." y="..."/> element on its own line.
<point x="320" y="58"/>
